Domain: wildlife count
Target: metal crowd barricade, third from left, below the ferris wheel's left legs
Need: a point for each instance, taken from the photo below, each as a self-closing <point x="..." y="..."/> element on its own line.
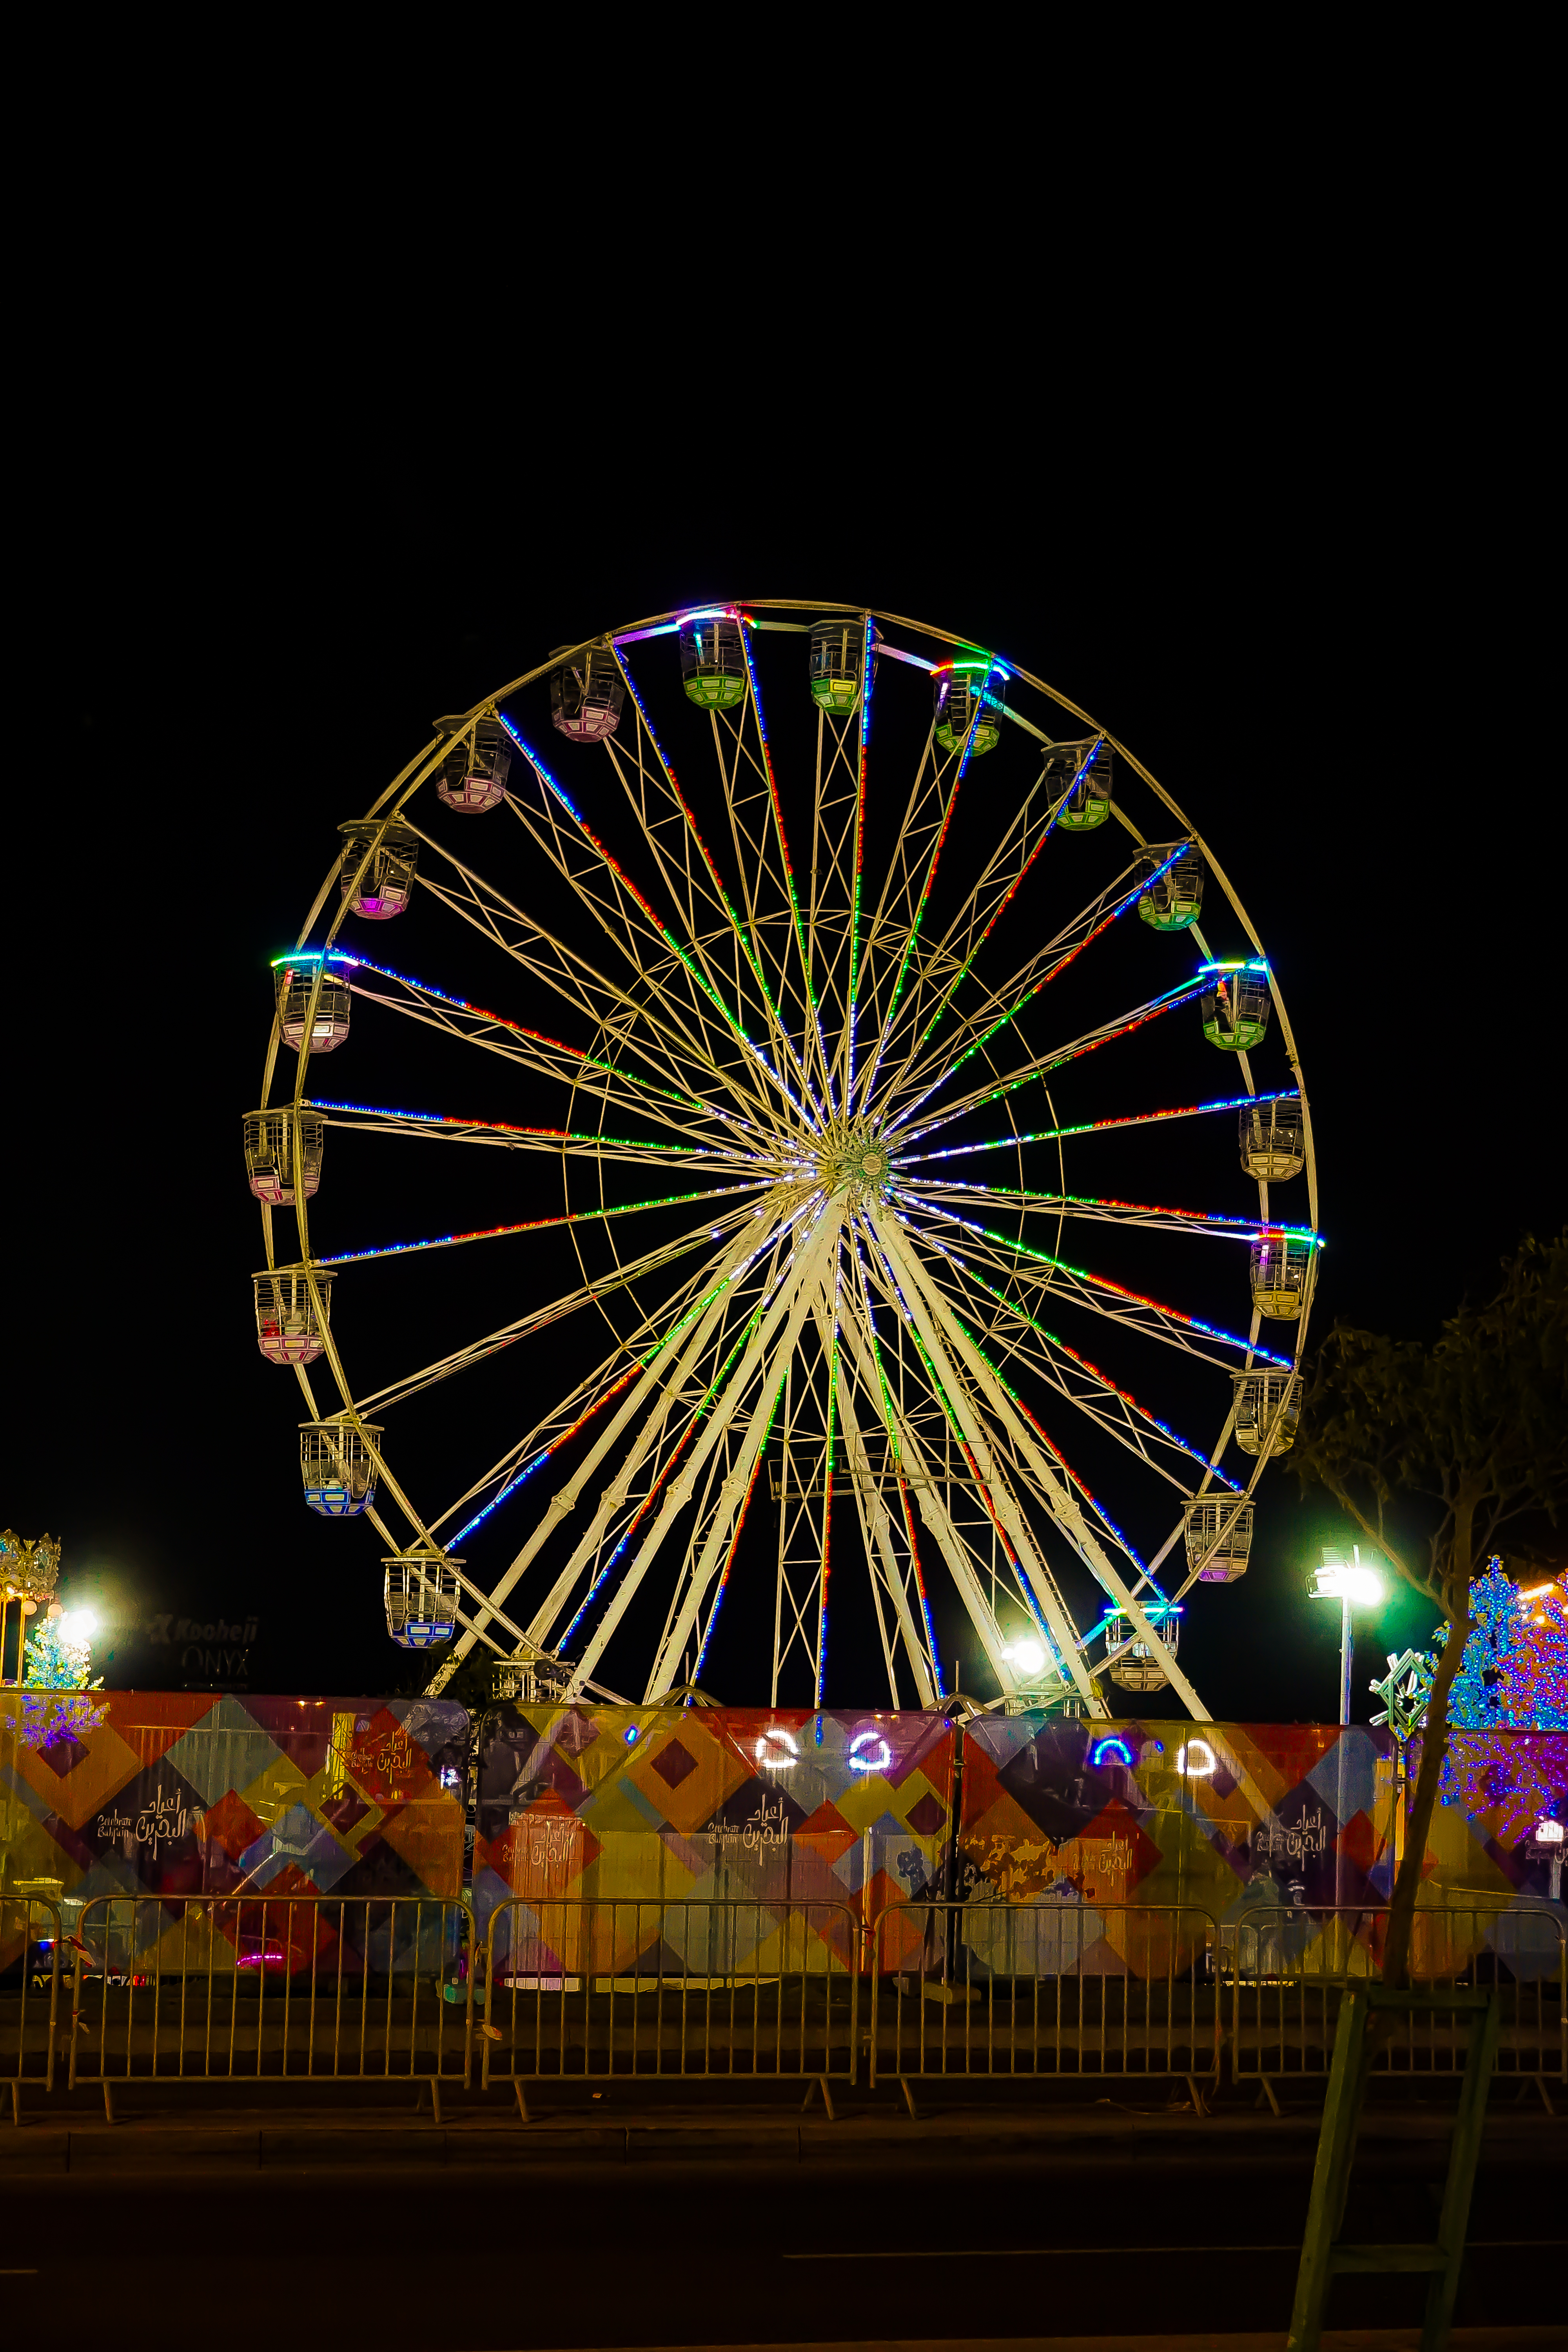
<point x="605" y="1986"/>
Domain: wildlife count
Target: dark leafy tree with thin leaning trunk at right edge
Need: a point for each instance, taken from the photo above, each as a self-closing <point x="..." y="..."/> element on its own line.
<point x="1433" y="1452"/>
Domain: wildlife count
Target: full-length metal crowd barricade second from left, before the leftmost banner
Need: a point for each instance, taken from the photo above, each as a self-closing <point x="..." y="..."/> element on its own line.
<point x="272" y="1989"/>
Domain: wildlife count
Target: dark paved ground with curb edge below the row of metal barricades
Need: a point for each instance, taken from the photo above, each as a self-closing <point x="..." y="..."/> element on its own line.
<point x="631" y="2224"/>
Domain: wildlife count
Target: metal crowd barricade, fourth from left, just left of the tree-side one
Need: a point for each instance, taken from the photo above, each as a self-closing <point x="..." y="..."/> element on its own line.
<point x="1045" y="1991"/>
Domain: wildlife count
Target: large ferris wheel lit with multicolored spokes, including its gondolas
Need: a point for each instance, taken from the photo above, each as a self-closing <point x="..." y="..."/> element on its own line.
<point x="857" y="998"/>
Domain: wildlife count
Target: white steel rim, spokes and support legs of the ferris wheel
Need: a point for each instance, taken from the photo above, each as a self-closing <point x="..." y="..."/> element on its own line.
<point x="777" y="1027"/>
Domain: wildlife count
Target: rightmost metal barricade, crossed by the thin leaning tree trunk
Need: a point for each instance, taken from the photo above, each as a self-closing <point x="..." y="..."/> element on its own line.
<point x="1289" y="1970"/>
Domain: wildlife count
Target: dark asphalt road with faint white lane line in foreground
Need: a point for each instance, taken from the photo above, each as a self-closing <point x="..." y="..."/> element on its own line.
<point x="937" y="2240"/>
